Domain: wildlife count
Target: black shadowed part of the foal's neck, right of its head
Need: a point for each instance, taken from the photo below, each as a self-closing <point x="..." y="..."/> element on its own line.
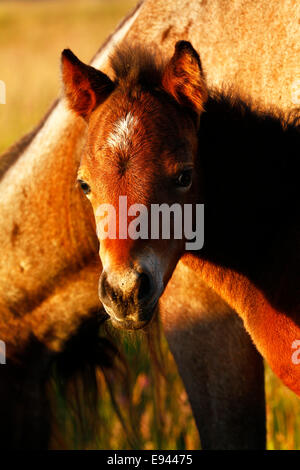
<point x="248" y="183"/>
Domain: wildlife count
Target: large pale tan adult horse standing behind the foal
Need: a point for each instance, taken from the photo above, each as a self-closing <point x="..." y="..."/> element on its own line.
<point x="49" y="271"/>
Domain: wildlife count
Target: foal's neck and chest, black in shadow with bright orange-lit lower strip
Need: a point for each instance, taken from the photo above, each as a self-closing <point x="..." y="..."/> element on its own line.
<point x="247" y="172"/>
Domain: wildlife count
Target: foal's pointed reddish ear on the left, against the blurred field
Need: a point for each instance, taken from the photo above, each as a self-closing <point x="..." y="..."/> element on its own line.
<point x="84" y="86"/>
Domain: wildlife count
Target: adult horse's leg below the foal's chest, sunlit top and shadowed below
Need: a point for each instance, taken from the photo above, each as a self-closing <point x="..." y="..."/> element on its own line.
<point x="221" y="369"/>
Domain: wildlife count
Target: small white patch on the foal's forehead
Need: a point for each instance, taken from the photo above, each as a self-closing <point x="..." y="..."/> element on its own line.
<point x="122" y="133"/>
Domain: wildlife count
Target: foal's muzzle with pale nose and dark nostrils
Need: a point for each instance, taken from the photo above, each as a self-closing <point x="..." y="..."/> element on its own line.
<point x="129" y="298"/>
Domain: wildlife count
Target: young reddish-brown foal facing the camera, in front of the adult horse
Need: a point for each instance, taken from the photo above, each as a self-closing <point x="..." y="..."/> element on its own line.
<point x="149" y="139"/>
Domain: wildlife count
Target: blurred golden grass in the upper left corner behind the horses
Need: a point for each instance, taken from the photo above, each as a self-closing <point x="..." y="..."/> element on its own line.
<point x="32" y="36"/>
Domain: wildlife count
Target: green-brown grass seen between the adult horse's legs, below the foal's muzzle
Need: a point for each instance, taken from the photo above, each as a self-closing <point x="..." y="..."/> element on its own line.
<point x="173" y="428"/>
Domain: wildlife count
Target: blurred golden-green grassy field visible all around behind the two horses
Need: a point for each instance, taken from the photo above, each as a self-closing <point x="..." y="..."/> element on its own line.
<point x="32" y="35"/>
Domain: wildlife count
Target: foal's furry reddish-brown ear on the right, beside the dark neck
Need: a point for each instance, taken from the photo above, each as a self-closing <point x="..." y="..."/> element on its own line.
<point x="183" y="77"/>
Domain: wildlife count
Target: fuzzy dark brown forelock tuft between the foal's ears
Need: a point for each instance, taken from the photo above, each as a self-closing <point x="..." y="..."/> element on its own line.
<point x="137" y="66"/>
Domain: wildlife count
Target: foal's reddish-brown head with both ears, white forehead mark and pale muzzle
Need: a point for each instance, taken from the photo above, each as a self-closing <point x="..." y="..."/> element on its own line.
<point x="142" y="143"/>
